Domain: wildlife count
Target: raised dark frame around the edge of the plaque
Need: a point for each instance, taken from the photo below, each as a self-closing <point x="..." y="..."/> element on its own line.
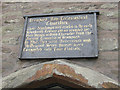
<point x="95" y="13"/>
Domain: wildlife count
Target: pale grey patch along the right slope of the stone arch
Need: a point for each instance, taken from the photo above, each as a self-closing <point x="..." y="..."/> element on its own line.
<point x="94" y="78"/>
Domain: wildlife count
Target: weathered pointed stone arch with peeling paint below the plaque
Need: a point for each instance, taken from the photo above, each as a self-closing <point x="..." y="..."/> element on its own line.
<point x="58" y="72"/>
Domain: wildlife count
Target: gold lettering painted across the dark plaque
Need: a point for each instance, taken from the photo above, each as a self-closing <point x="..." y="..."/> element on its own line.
<point x="57" y="34"/>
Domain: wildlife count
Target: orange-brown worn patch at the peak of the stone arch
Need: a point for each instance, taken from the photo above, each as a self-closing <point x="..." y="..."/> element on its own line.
<point x="62" y="70"/>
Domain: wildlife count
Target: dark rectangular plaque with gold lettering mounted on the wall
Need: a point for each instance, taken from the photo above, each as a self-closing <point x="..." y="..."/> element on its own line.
<point x="62" y="35"/>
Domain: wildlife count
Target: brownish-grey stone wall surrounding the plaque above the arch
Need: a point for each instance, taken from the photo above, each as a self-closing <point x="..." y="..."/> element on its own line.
<point x="13" y="22"/>
